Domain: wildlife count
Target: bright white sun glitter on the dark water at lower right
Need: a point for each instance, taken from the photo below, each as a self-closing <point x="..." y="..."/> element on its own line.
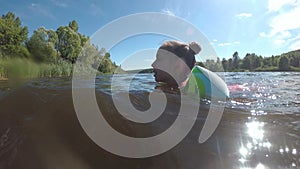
<point x="256" y="149"/>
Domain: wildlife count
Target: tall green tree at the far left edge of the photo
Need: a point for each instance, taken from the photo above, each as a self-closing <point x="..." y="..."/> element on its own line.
<point x="12" y="36"/>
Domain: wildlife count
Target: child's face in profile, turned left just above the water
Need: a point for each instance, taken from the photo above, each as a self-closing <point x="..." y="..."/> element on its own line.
<point x="169" y="68"/>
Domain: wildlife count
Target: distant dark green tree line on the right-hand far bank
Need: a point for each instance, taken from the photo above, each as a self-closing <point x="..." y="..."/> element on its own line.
<point x="252" y="62"/>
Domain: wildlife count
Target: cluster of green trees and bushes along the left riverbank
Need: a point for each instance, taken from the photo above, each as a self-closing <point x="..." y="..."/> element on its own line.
<point x="58" y="49"/>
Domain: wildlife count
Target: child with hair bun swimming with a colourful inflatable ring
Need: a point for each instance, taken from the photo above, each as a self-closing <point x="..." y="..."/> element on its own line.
<point x="174" y="64"/>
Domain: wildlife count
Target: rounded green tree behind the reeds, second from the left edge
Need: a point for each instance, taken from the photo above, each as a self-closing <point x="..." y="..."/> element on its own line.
<point x="42" y="45"/>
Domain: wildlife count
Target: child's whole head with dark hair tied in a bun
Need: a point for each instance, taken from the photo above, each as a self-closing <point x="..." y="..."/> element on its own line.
<point x="174" y="61"/>
